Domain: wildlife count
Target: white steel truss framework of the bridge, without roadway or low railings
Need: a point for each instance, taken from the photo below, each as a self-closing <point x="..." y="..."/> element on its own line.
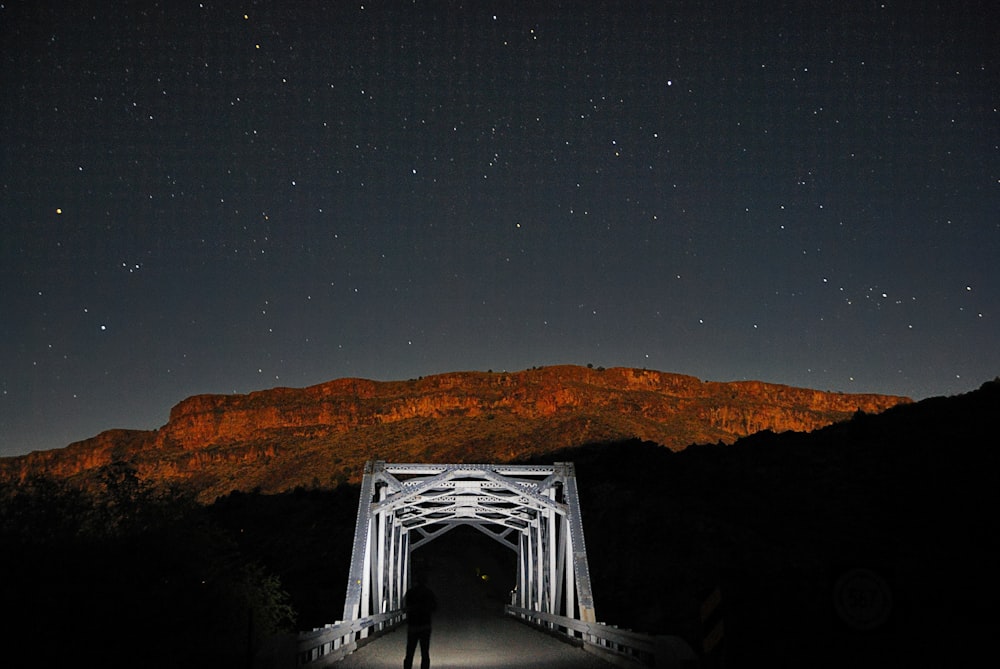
<point x="532" y="510"/>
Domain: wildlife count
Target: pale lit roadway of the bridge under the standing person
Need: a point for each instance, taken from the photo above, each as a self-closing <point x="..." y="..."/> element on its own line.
<point x="487" y="642"/>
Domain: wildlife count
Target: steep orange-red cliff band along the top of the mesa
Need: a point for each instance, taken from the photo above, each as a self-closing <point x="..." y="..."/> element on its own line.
<point x="726" y="410"/>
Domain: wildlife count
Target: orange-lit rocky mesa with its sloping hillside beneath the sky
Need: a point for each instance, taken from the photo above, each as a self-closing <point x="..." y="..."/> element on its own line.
<point x="274" y="439"/>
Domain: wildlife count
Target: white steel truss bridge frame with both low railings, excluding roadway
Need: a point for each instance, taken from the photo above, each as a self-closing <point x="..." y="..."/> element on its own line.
<point x="533" y="510"/>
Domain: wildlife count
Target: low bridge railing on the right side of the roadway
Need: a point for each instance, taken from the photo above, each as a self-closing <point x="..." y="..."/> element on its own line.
<point x="645" y="649"/>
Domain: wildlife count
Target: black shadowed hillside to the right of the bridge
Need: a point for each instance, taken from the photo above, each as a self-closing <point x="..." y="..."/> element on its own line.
<point x="775" y="521"/>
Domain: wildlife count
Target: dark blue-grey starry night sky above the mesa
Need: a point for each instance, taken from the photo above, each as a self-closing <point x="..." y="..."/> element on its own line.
<point x="219" y="197"/>
